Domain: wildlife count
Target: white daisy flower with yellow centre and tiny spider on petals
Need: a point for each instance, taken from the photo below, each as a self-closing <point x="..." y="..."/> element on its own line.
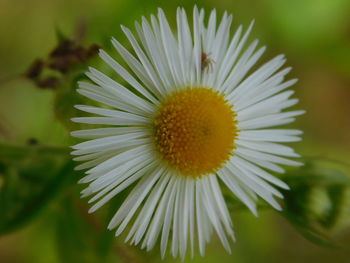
<point x="188" y="118"/>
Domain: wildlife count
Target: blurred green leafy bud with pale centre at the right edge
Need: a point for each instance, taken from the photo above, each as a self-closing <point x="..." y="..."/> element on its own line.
<point x="319" y="200"/>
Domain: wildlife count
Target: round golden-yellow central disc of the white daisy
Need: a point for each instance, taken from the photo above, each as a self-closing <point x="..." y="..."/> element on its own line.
<point x="195" y="131"/>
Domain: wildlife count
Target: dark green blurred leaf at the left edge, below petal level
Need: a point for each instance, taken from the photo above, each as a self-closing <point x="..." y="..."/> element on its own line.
<point x="32" y="176"/>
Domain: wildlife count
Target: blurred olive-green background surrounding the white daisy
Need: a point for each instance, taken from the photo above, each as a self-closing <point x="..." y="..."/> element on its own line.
<point x="314" y="35"/>
